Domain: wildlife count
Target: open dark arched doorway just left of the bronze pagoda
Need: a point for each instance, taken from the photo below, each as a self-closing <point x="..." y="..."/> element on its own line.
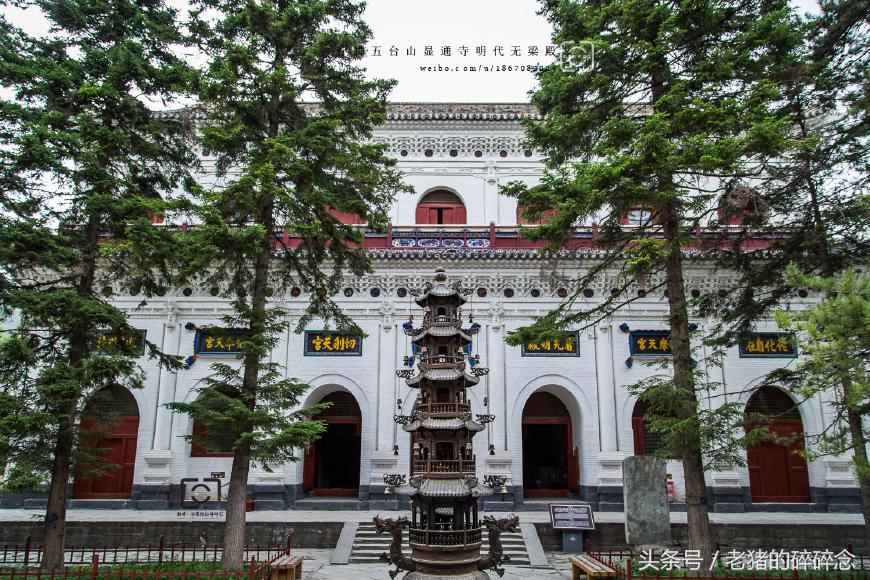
<point x="331" y="464"/>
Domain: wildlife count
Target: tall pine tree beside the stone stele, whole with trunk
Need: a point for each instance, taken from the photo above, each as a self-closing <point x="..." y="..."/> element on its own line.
<point x="674" y="106"/>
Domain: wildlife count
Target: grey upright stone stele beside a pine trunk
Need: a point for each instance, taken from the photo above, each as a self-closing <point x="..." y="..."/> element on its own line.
<point x="647" y="515"/>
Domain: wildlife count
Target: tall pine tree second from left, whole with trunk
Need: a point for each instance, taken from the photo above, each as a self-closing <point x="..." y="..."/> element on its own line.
<point x="282" y="165"/>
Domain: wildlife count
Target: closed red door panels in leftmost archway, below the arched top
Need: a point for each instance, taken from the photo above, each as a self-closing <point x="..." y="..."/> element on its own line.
<point x="120" y="445"/>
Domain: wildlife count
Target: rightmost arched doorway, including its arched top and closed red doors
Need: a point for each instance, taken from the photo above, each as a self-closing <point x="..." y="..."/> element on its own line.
<point x="777" y="473"/>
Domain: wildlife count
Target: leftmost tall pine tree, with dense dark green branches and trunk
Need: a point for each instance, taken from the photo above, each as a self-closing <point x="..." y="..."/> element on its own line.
<point x="85" y="160"/>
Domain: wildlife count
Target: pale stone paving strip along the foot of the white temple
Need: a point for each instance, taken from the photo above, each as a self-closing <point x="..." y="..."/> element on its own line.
<point x="114" y="515"/>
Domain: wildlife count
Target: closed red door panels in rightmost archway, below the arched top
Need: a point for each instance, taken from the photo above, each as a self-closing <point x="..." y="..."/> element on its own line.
<point x="776" y="472"/>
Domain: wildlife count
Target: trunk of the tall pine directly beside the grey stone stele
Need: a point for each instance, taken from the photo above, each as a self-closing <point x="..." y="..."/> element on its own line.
<point x="693" y="464"/>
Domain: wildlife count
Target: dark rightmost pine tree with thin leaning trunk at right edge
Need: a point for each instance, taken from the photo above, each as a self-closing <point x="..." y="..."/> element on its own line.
<point x="814" y="200"/>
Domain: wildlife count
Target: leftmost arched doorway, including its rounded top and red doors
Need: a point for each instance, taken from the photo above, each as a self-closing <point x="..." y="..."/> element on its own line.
<point x="116" y="405"/>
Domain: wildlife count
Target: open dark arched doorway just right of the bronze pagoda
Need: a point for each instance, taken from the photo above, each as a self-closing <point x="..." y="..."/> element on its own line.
<point x="550" y="467"/>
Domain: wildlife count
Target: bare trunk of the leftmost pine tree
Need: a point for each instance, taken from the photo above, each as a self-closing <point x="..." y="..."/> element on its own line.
<point x="55" y="511"/>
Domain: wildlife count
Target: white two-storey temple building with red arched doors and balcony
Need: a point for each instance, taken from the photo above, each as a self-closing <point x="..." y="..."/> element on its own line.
<point x="564" y="419"/>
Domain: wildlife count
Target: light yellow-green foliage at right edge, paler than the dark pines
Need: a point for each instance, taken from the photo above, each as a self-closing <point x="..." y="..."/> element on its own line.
<point x="835" y="362"/>
